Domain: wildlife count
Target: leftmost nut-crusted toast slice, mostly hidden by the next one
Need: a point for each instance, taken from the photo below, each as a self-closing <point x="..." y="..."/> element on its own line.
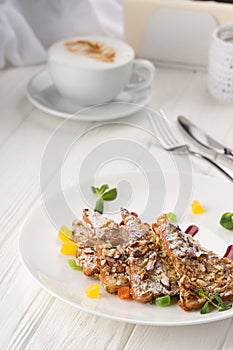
<point x="85" y="237"/>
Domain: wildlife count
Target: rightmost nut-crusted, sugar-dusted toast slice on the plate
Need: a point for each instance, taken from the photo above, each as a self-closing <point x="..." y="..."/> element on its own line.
<point x="197" y="267"/>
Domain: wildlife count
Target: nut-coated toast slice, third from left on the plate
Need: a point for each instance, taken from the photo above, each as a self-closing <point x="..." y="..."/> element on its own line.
<point x="151" y="271"/>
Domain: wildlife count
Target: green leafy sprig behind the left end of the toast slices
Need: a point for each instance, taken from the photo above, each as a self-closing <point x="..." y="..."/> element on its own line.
<point x="104" y="194"/>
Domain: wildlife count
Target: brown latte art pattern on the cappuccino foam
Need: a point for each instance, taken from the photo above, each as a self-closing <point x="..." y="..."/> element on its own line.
<point x="96" y="50"/>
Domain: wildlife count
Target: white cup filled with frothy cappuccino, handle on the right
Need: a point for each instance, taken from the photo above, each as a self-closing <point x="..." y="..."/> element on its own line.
<point x="95" y="69"/>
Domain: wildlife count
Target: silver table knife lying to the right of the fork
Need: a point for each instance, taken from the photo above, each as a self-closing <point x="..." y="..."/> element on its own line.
<point x="202" y="138"/>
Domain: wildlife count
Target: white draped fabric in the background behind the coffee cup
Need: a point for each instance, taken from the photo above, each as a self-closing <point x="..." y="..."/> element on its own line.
<point x="28" y="28"/>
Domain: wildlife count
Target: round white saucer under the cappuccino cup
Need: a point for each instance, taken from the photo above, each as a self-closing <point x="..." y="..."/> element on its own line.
<point x="43" y="95"/>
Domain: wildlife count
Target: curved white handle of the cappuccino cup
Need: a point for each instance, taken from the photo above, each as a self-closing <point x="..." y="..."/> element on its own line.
<point x="146" y="65"/>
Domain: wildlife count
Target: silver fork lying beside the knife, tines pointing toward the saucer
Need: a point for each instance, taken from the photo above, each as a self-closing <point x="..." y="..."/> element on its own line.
<point x="169" y="141"/>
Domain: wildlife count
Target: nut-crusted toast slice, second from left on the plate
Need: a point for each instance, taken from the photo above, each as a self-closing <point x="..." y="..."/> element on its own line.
<point x="111" y="251"/>
